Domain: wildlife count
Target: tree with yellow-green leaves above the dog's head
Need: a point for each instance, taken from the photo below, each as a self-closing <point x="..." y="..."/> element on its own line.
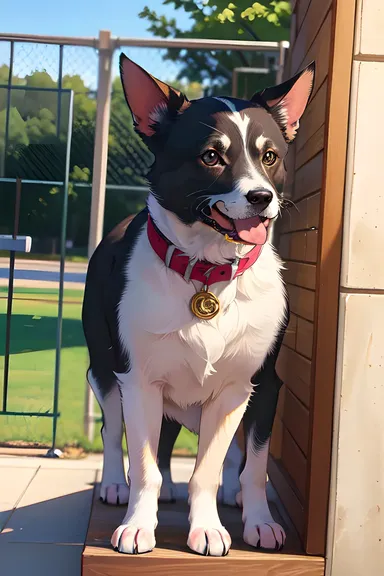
<point x="219" y="19"/>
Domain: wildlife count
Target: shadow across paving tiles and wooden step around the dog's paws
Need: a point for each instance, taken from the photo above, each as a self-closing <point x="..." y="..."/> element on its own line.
<point x="47" y="537"/>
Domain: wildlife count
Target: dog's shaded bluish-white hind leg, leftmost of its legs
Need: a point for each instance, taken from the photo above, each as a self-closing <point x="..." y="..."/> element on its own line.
<point x="114" y="488"/>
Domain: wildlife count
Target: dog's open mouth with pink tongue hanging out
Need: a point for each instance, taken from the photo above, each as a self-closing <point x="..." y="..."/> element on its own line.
<point x="246" y="231"/>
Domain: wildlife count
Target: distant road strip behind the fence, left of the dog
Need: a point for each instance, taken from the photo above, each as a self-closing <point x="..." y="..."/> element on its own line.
<point x="43" y="272"/>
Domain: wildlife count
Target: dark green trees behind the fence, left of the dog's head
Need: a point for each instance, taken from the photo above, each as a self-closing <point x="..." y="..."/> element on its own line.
<point x="36" y="148"/>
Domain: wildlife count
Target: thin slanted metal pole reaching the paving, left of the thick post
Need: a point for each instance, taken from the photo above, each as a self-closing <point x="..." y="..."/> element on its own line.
<point x="61" y="281"/>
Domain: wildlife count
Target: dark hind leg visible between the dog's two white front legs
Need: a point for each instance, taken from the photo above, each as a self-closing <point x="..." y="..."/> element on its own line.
<point x="170" y="430"/>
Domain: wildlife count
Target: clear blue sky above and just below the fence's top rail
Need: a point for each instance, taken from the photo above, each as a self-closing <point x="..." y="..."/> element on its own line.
<point x="82" y="18"/>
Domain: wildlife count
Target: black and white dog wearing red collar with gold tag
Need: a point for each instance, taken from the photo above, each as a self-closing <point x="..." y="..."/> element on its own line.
<point x="185" y="308"/>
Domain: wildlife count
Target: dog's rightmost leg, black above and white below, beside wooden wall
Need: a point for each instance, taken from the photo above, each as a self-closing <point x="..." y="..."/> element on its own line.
<point x="260" y="529"/>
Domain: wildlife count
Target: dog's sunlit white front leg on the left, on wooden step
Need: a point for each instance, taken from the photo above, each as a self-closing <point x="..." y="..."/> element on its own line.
<point x="143" y="412"/>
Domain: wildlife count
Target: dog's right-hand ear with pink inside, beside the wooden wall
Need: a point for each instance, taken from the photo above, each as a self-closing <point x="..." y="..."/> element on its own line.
<point x="287" y="101"/>
